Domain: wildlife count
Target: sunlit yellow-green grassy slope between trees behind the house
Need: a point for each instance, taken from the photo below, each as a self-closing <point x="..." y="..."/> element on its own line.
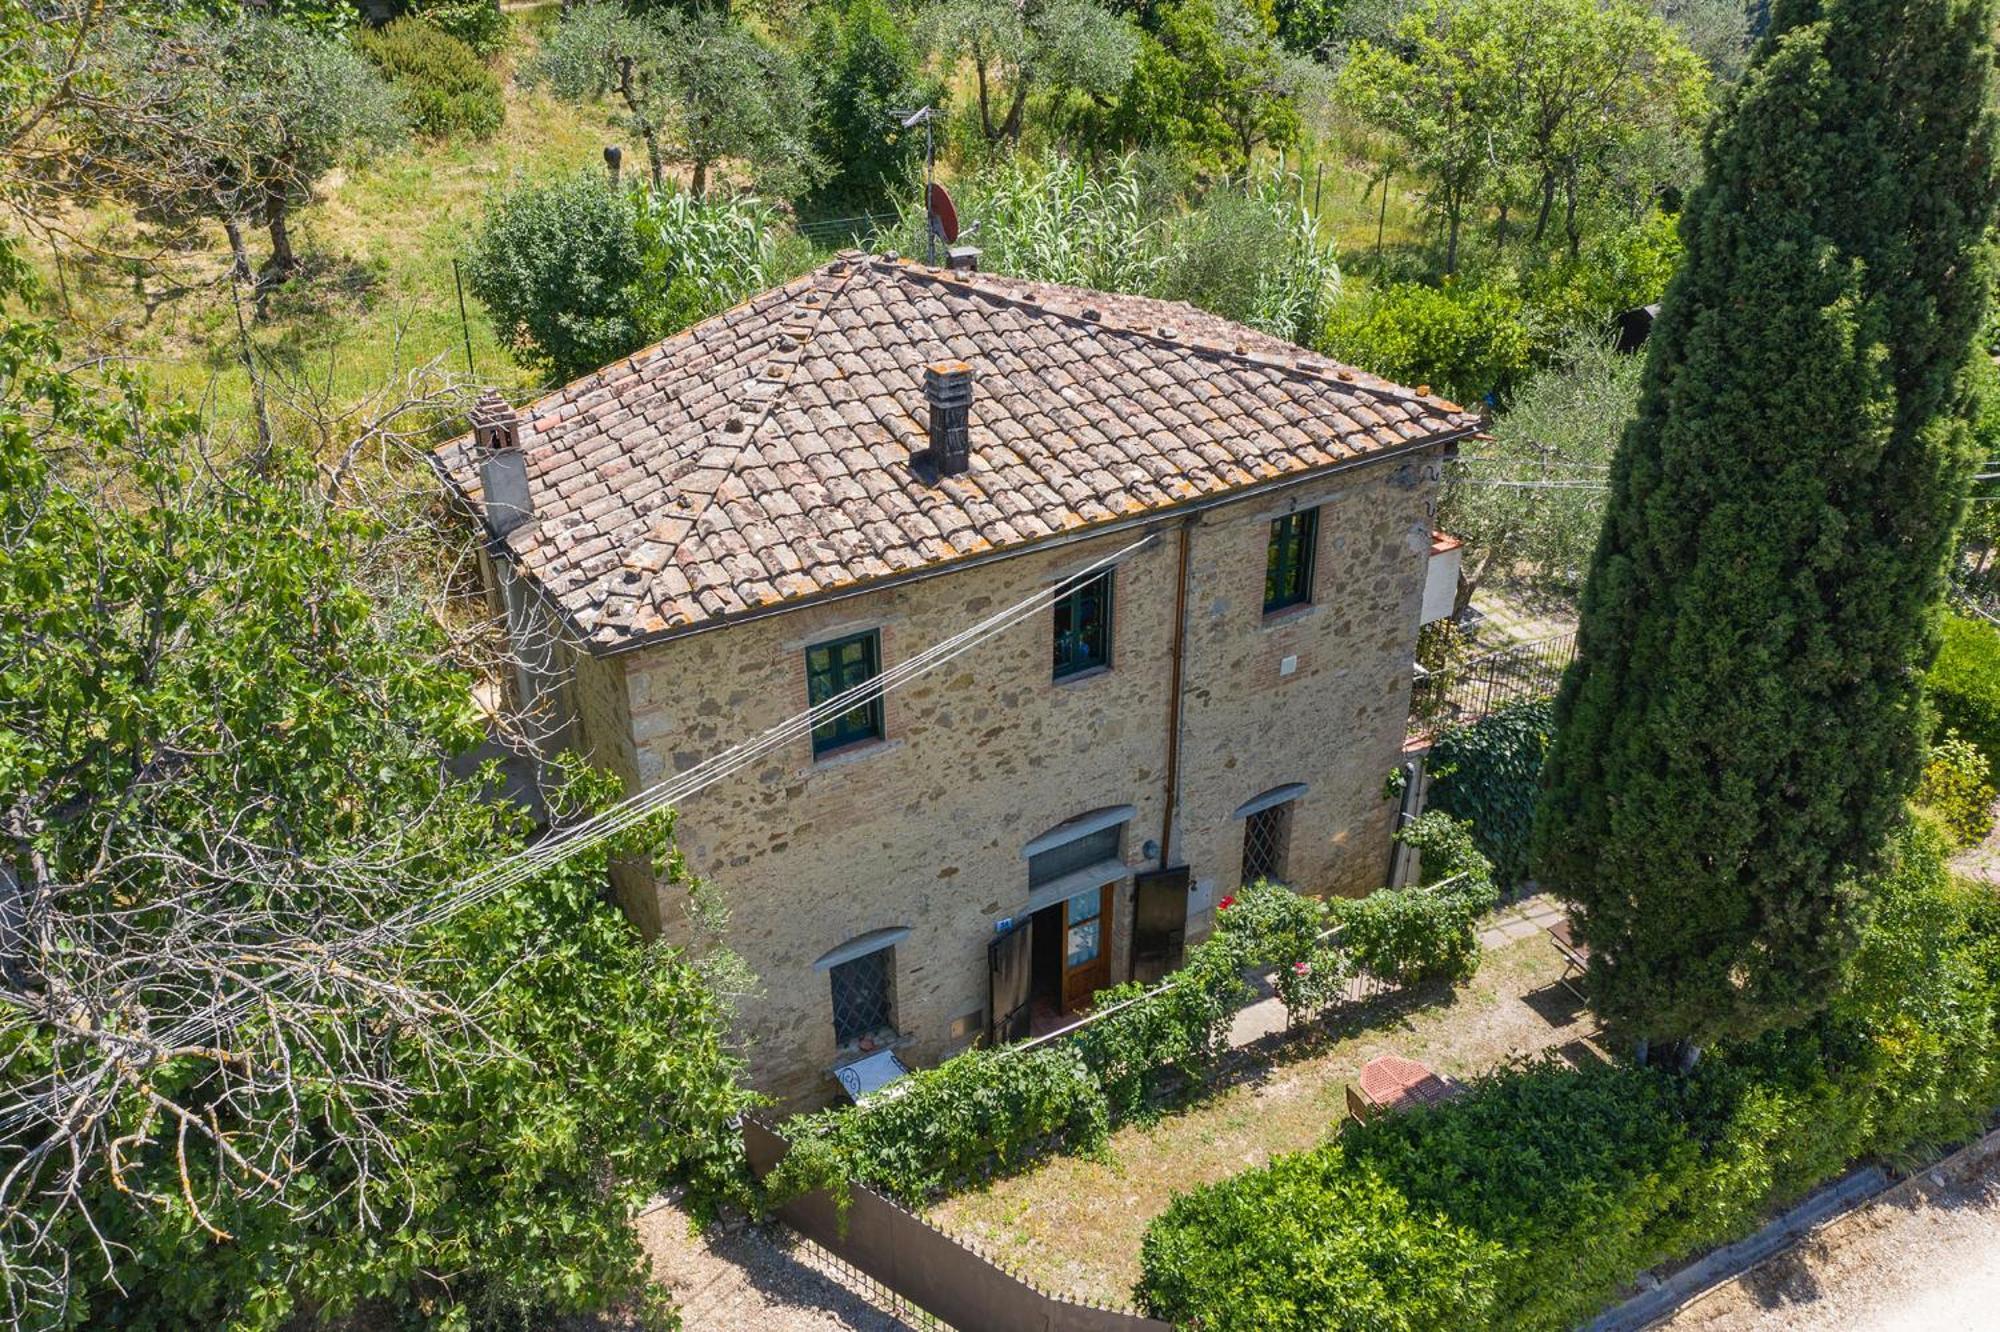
<point x="379" y="243"/>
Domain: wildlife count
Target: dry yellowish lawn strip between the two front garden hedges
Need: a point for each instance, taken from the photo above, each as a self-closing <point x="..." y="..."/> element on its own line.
<point x="1075" y="1225"/>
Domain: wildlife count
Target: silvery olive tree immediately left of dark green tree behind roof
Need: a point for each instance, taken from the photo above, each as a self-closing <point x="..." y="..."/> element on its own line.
<point x="699" y="89"/>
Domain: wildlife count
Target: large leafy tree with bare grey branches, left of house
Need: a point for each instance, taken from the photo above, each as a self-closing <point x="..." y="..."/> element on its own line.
<point x="253" y="1075"/>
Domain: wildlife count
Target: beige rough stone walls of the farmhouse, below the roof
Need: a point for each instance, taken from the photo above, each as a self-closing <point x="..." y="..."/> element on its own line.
<point x="925" y="829"/>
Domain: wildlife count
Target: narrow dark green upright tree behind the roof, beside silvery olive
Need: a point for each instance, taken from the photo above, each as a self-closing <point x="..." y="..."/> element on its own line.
<point x="867" y="79"/>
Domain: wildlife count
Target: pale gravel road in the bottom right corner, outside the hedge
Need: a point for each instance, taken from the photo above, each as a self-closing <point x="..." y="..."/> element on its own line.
<point x="1929" y="1263"/>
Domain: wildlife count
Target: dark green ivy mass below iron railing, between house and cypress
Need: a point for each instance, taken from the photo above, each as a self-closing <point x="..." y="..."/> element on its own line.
<point x="1489" y="775"/>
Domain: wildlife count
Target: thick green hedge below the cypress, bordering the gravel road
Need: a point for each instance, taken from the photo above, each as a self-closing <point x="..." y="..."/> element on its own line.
<point x="1547" y="1189"/>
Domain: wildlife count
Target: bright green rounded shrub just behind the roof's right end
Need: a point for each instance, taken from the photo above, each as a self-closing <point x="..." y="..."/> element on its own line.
<point x="1465" y="341"/>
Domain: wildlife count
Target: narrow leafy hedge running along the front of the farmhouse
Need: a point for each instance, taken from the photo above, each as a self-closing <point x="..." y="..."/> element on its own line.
<point x="991" y="1109"/>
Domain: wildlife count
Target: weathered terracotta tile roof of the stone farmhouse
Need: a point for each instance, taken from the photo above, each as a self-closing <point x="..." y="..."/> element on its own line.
<point x="765" y="455"/>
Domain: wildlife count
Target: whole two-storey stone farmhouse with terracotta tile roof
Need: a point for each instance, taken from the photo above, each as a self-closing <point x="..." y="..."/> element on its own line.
<point x="769" y="509"/>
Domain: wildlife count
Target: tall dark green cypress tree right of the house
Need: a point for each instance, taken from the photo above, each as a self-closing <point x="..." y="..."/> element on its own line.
<point x="1743" y="725"/>
